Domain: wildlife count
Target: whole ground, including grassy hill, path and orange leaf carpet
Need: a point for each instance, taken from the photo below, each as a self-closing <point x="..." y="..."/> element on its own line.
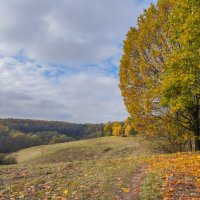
<point x="103" y="168"/>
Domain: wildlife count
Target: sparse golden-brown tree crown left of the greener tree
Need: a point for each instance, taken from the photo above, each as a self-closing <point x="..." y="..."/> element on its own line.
<point x="145" y="50"/>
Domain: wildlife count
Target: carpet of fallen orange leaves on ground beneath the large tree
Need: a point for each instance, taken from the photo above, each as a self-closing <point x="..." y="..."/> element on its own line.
<point x="180" y="173"/>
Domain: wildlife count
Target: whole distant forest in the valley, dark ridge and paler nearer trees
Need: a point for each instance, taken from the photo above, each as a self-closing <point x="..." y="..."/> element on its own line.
<point x="16" y="134"/>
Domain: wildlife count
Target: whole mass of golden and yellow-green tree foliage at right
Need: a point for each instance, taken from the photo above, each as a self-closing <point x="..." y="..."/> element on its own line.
<point x="159" y="71"/>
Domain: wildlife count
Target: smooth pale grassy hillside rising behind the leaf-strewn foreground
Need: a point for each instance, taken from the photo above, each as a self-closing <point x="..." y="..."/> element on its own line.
<point x="99" y="148"/>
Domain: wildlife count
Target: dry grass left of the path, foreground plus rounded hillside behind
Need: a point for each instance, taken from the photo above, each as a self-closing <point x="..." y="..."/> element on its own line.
<point x="89" y="169"/>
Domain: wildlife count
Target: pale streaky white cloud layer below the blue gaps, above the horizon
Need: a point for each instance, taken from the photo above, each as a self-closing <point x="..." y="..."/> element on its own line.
<point x="80" y="97"/>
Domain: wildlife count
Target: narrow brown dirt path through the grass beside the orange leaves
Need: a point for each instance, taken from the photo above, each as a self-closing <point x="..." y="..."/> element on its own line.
<point x="134" y="184"/>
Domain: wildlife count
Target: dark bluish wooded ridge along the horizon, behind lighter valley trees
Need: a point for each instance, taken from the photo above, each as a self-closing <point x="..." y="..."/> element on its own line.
<point x="76" y="131"/>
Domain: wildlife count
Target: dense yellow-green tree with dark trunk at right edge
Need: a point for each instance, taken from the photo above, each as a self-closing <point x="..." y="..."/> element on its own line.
<point x="180" y="79"/>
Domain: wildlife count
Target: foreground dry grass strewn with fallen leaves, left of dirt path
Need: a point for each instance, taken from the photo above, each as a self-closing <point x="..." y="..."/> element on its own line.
<point x="95" y="179"/>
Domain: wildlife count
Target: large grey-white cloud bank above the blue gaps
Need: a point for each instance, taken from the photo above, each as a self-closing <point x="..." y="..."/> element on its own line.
<point x="70" y="31"/>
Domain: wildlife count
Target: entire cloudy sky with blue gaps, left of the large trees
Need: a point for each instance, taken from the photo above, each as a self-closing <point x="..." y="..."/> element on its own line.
<point x="59" y="60"/>
